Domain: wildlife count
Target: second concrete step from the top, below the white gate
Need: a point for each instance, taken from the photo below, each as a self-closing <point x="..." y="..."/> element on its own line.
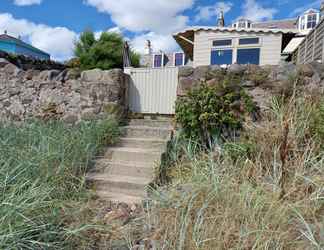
<point x="146" y="132"/>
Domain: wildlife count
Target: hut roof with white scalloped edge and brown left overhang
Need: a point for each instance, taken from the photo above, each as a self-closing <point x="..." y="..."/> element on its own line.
<point x="185" y="38"/>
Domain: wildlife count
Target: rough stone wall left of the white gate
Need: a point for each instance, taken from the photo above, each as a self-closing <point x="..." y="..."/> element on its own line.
<point x="60" y="94"/>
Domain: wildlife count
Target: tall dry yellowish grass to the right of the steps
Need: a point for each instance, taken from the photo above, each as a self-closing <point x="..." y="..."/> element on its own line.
<point x="265" y="191"/>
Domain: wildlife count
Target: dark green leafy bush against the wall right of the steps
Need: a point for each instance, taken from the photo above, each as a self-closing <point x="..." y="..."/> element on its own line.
<point x="210" y="111"/>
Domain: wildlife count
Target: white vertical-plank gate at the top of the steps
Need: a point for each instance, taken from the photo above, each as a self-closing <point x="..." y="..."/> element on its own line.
<point x="152" y="91"/>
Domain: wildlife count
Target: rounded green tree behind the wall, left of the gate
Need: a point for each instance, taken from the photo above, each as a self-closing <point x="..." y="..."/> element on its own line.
<point x="105" y="53"/>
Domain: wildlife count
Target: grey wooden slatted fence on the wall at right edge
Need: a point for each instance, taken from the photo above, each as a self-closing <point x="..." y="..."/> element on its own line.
<point x="312" y="48"/>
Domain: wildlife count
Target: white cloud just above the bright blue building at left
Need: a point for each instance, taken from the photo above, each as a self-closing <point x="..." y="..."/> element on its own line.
<point x="58" y="41"/>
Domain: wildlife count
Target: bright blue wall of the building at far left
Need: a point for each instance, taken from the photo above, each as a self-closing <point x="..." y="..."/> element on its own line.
<point x="18" y="49"/>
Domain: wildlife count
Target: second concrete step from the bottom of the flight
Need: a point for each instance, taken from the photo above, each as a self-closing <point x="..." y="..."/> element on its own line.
<point x="128" y="185"/>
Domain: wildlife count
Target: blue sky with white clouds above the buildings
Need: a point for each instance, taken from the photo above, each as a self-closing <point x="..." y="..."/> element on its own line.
<point x="55" y="25"/>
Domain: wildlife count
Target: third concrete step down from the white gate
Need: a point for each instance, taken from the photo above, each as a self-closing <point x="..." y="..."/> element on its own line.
<point x="144" y="143"/>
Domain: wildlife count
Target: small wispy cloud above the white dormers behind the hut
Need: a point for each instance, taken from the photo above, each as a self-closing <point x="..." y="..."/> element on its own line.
<point x="256" y="12"/>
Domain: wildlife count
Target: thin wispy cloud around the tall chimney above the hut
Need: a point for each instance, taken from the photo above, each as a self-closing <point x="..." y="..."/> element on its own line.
<point x="206" y="13"/>
